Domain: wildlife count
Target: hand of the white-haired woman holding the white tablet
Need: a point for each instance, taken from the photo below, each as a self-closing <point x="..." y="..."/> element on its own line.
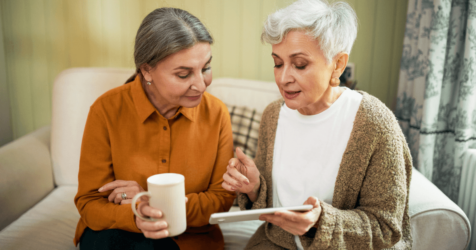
<point x="296" y="223"/>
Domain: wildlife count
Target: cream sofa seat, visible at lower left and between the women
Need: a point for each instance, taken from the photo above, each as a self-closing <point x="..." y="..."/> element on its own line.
<point x="52" y="222"/>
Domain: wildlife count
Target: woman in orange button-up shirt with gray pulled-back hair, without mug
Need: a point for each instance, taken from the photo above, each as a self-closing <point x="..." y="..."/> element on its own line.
<point x="162" y="121"/>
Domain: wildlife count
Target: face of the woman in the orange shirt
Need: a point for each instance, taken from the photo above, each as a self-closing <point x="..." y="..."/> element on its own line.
<point x="181" y="78"/>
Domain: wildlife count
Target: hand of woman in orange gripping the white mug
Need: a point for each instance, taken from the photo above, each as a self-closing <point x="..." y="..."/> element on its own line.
<point x="152" y="229"/>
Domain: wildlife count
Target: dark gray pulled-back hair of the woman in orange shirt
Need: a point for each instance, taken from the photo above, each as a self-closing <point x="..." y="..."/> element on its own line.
<point x="166" y="31"/>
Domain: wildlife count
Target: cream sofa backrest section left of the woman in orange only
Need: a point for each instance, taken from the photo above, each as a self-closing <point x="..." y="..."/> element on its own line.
<point x="74" y="91"/>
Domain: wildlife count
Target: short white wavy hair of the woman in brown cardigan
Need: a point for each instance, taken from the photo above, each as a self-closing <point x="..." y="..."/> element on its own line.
<point x="334" y="25"/>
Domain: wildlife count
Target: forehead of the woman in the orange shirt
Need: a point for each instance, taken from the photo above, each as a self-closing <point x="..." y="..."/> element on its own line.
<point x="195" y="56"/>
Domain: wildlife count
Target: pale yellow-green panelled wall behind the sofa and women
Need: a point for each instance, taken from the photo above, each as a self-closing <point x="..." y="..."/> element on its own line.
<point x="44" y="37"/>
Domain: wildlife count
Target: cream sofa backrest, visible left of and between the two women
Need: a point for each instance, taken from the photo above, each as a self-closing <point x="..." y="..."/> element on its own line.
<point x="75" y="90"/>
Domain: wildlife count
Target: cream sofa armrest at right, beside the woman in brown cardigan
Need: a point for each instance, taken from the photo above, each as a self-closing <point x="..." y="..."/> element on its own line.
<point x="436" y="221"/>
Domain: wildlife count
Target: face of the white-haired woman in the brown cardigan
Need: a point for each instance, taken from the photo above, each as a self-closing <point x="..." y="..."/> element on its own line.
<point x="301" y="71"/>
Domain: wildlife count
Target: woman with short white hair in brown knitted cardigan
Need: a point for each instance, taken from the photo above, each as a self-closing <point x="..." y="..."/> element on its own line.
<point x="339" y="150"/>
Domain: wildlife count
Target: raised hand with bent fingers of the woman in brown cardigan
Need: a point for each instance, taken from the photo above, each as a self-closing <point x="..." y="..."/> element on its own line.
<point x="242" y="176"/>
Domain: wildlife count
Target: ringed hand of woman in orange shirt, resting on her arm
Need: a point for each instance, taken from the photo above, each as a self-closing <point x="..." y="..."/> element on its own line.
<point x="131" y="188"/>
